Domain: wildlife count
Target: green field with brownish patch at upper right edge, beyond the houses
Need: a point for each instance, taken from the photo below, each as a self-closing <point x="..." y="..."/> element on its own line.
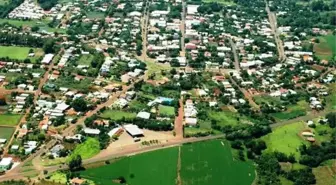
<point x="326" y="48"/>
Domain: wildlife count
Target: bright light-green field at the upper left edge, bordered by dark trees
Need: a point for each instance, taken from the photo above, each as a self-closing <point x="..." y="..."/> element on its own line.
<point x="20" y="53"/>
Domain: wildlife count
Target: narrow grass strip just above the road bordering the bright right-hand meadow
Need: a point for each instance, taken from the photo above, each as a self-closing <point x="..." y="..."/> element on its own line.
<point x="293" y="111"/>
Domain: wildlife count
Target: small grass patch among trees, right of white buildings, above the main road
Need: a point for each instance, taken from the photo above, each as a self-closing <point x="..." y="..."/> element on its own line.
<point x="223" y="117"/>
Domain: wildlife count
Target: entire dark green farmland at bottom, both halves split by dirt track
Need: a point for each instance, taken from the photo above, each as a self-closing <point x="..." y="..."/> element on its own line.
<point x="203" y="163"/>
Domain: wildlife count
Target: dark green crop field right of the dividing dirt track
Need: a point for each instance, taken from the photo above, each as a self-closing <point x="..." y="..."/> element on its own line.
<point x="211" y="162"/>
